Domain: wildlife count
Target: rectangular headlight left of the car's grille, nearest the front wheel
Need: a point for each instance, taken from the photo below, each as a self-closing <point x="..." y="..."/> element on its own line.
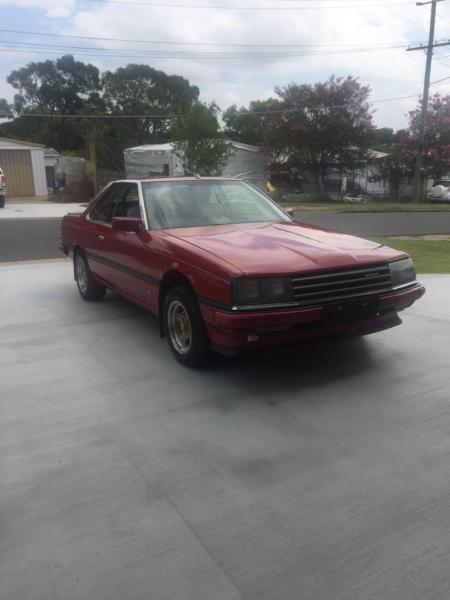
<point x="270" y="290"/>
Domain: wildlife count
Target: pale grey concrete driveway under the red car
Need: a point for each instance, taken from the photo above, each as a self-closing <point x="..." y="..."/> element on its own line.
<point x="322" y="474"/>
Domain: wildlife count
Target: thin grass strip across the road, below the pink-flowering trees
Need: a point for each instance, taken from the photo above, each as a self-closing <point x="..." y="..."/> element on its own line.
<point x="363" y="207"/>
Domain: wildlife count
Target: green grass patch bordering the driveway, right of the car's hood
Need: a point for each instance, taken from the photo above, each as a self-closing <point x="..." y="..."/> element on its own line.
<point x="429" y="256"/>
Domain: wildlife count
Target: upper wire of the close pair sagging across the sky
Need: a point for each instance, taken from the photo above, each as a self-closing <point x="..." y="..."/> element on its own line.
<point x="177" y="43"/>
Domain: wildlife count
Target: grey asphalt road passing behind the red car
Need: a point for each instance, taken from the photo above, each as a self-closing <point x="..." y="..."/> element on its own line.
<point x="35" y="239"/>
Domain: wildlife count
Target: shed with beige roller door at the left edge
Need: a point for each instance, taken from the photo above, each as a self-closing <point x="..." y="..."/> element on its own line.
<point x="24" y="166"/>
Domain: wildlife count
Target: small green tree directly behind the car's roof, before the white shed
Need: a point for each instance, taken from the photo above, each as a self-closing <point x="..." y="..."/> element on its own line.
<point x="198" y="142"/>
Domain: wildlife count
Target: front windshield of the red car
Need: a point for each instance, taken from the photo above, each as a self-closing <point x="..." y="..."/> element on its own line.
<point x="197" y="203"/>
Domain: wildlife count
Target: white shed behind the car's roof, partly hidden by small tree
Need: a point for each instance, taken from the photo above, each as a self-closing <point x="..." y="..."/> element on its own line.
<point x="159" y="160"/>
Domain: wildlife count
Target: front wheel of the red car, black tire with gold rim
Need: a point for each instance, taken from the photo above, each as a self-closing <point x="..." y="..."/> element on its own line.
<point x="184" y="328"/>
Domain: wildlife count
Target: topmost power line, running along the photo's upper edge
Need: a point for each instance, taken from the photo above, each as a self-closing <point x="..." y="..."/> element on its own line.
<point x="253" y="8"/>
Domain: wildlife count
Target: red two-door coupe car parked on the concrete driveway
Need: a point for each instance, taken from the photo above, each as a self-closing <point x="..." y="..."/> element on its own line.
<point x="227" y="269"/>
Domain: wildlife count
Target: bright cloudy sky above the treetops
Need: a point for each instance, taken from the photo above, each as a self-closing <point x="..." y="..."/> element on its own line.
<point x="191" y="37"/>
